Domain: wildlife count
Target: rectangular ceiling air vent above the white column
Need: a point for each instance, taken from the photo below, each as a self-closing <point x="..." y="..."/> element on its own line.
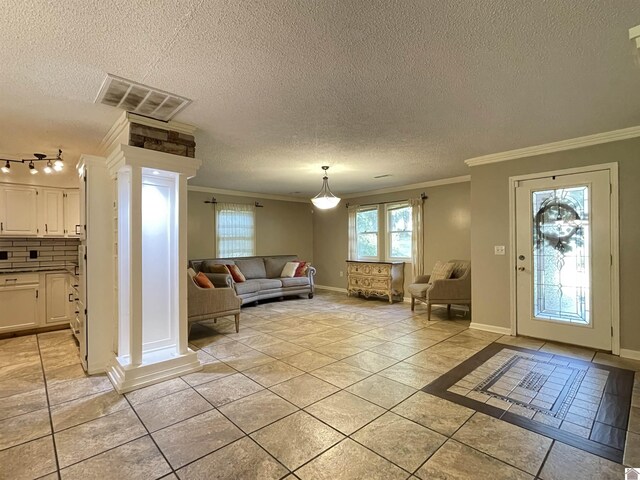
<point x="141" y="99"/>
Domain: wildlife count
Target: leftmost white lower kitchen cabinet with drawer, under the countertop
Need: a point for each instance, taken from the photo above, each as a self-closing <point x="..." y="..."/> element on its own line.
<point x="19" y="298"/>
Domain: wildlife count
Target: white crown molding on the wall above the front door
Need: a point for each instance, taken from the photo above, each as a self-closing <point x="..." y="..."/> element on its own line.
<point x="570" y="144"/>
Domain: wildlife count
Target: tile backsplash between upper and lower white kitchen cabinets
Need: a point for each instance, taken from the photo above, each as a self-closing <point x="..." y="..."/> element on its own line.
<point x="50" y="253"/>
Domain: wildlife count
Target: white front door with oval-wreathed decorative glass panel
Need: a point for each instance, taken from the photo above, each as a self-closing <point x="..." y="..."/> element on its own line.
<point x="563" y="259"/>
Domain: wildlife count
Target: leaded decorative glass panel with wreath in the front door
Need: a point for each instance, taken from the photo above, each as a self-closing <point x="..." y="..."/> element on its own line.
<point x="561" y="255"/>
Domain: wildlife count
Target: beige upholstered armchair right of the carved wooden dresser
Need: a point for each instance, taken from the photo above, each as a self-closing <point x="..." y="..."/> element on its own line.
<point x="454" y="290"/>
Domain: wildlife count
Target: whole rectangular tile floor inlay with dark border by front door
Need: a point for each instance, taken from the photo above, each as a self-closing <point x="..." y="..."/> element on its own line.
<point x="583" y="404"/>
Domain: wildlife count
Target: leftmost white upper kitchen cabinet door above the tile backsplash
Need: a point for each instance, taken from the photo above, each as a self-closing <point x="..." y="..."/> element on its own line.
<point x="18" y="210"/>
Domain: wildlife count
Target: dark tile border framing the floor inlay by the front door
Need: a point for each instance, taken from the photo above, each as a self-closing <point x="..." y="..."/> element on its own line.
<point x="612" y="416"/>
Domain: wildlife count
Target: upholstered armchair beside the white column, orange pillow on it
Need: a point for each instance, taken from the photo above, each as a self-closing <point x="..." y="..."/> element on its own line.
<point x="211" y="303"/>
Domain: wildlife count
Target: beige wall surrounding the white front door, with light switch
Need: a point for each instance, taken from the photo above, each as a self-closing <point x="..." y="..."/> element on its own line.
<point x="490" y="226"/>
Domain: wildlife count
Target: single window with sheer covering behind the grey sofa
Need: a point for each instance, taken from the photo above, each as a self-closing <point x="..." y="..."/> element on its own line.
<point x="235" y="230"/>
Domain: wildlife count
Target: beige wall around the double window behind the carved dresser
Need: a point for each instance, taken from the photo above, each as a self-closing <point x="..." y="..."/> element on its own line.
<point x="446" y="225"/>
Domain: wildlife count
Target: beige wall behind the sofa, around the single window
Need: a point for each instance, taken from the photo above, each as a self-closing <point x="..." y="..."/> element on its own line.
<point x="281" y="227"/>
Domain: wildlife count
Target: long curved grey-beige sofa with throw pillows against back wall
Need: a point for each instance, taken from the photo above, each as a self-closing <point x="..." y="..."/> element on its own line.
<point x="262" y="274"/>
